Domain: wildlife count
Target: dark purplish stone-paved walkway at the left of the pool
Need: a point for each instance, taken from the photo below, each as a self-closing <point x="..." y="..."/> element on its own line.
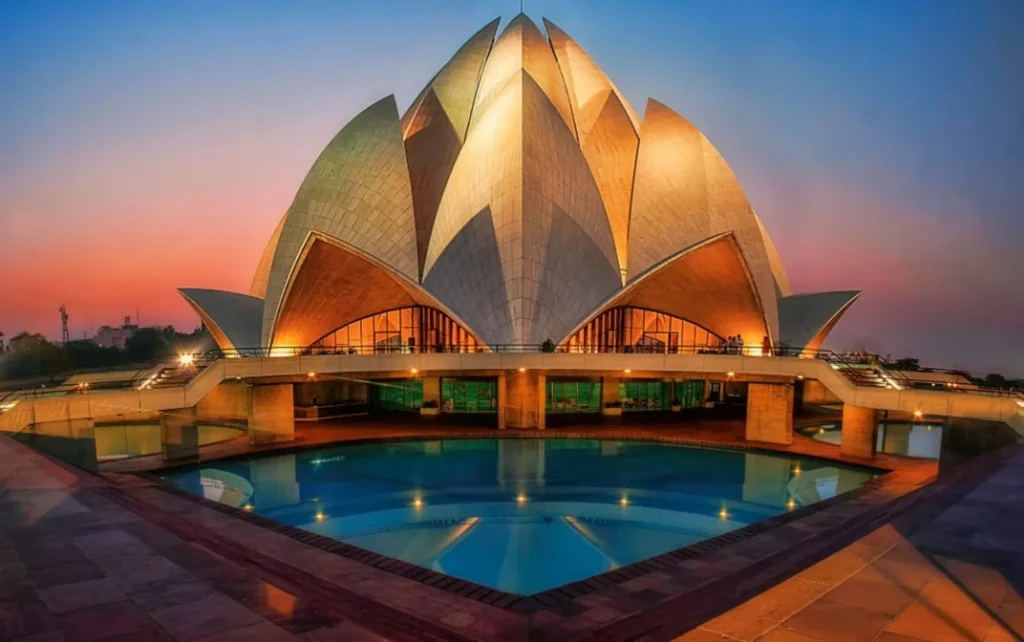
<point x="75" y="567"/>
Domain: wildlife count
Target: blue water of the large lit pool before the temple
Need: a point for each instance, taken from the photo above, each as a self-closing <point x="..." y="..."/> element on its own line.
<point x="521" y="516"/>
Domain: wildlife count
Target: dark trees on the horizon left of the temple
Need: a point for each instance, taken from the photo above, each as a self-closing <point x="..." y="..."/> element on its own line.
<point x="31" y="356"/>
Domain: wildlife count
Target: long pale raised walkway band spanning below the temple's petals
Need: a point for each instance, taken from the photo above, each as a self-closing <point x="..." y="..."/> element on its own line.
<point x="937" y="403"/>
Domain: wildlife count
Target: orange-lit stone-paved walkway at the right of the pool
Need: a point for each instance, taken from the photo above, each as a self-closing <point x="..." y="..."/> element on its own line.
<point x="956" y="578"/>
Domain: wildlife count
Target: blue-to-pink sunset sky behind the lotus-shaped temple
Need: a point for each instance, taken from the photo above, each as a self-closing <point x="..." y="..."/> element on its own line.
<point x="151" y="146"/>
